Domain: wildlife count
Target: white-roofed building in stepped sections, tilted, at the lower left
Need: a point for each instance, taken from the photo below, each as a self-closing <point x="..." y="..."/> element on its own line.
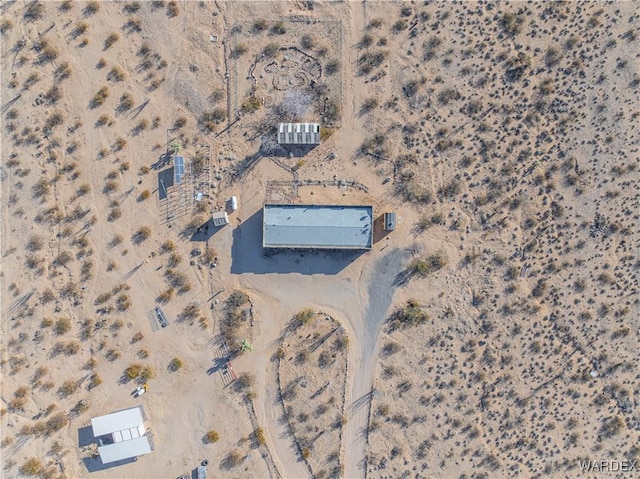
<point x="127" y="432"/>
